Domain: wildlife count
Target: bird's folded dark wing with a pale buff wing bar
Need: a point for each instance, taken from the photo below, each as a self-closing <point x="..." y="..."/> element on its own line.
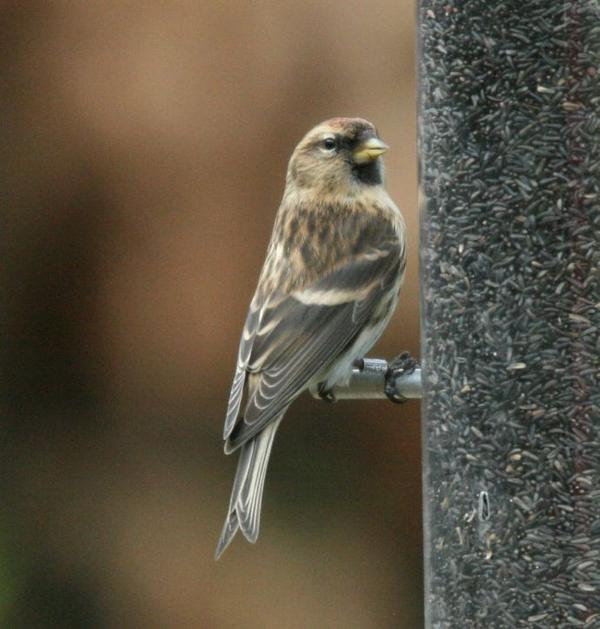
<point x="298" y="334"/>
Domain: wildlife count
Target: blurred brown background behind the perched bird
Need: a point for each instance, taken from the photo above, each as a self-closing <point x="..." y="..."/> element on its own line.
<point x="143" y="152"/>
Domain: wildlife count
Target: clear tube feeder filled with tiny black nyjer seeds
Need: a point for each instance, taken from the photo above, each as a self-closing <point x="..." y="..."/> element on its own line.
<point x="510" y="184"/>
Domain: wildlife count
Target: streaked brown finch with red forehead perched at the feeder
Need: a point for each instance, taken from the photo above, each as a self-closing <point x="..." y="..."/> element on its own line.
<point x="328" y="287"/>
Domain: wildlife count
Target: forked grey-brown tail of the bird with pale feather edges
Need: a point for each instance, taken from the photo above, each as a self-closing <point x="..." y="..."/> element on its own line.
<point x="246" y="496"/>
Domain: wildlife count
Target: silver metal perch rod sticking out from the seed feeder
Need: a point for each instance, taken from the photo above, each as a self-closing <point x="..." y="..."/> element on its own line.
<point x="368" y="383"/>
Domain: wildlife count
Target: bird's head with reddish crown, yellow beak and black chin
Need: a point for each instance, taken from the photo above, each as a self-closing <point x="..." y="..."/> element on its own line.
<point x="338" y="157"/>
